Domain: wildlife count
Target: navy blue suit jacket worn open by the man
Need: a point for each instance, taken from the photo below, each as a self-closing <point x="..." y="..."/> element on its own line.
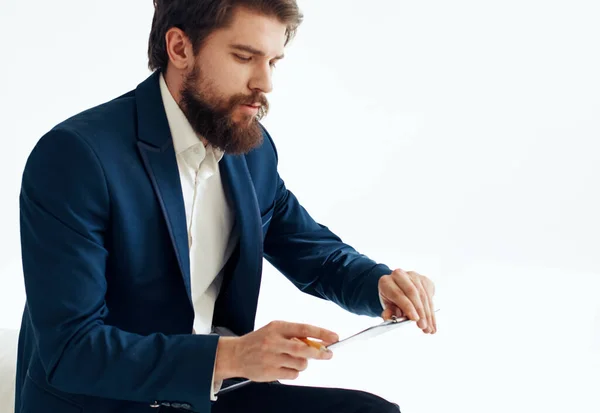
<point x="108" y="319"/>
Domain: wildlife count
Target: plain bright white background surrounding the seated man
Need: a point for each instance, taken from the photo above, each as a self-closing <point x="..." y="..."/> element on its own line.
<point x="457" y="139"/>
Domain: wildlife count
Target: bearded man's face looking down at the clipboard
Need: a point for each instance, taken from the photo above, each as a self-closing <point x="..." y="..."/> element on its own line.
<point x="223" y="97"/>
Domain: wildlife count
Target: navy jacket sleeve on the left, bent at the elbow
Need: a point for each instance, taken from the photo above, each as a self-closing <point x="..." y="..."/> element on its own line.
<point x="64" y="213"/>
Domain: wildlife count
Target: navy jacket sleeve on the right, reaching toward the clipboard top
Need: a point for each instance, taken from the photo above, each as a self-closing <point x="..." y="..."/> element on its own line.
<point x="316" y="260"/>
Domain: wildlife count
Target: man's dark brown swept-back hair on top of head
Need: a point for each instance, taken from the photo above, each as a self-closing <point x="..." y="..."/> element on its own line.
<point x="199" y="18"/>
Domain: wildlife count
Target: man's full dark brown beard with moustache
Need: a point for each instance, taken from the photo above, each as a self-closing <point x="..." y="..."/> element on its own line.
<point x="214" y="121"/>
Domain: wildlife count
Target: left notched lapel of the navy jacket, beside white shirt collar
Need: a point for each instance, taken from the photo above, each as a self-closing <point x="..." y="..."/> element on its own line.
<point x="158" y="155"/>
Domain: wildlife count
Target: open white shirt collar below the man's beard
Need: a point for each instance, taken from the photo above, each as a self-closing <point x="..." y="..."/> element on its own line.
<point x="184" y="136"/>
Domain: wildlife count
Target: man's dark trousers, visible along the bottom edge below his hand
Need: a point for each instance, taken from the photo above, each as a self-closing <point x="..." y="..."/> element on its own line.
<point x="280" y="398"/>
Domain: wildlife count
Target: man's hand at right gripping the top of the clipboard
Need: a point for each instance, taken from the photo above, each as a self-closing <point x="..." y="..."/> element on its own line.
<point x="407" y="293"/>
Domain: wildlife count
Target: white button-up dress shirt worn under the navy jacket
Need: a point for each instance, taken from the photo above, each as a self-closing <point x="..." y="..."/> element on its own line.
<point x="209" y="216"/>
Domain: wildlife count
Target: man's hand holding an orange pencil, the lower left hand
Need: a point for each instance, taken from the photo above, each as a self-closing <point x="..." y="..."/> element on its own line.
<point x="271" y="353"/>
